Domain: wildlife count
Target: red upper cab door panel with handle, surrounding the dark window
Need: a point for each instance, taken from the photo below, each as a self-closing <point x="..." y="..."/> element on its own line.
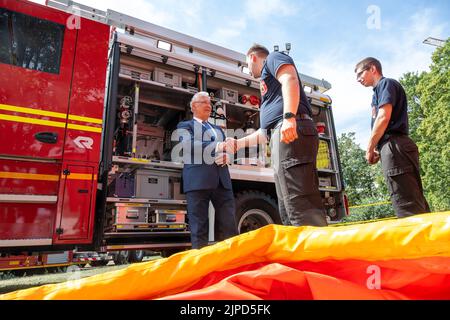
<point x="36" y="90"/>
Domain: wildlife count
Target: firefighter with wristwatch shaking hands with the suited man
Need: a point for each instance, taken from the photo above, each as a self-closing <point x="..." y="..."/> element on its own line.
<point x="285" y="115"/>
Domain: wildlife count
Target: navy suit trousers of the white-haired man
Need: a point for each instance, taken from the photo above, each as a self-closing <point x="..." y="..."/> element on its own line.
<point x="198" y="205"/>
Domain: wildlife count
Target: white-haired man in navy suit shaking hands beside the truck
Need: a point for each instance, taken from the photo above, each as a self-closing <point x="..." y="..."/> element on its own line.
<point x="205" y="174"/>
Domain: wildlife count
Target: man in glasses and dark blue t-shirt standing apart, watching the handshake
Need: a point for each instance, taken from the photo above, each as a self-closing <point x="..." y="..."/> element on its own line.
<point x="390" y="141"/>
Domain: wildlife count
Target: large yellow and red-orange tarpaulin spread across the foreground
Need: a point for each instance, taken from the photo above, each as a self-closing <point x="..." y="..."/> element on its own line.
<point x="395" y="259"/>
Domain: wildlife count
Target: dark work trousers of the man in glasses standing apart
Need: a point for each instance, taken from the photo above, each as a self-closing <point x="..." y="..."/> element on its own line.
<point x="400" y="162"/>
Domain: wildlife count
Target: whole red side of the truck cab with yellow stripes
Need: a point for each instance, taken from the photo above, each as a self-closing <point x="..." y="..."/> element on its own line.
<point x="68" y="104"/>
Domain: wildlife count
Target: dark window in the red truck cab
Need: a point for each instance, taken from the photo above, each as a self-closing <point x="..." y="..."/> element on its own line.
<point x="29" y="42"/>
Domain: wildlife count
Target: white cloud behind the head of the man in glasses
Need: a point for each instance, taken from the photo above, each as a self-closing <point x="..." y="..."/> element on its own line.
<point x="400" y="51"/>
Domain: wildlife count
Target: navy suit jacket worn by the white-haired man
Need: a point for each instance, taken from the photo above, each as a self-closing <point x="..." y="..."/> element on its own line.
<point x="200" y="173"/>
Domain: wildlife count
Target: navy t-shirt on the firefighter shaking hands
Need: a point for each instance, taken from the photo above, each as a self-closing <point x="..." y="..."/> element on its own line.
<point x="272" y="97"/>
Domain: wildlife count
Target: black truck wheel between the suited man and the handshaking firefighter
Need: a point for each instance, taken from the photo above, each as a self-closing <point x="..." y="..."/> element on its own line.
<point x="254" y="210"/>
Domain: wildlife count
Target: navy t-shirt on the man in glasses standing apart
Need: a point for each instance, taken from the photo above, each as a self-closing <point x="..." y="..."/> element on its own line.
<point x="390" y="91"/>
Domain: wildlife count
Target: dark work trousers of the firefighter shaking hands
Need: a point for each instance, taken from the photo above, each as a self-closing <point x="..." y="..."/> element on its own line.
<point x="296" y="179"/>
